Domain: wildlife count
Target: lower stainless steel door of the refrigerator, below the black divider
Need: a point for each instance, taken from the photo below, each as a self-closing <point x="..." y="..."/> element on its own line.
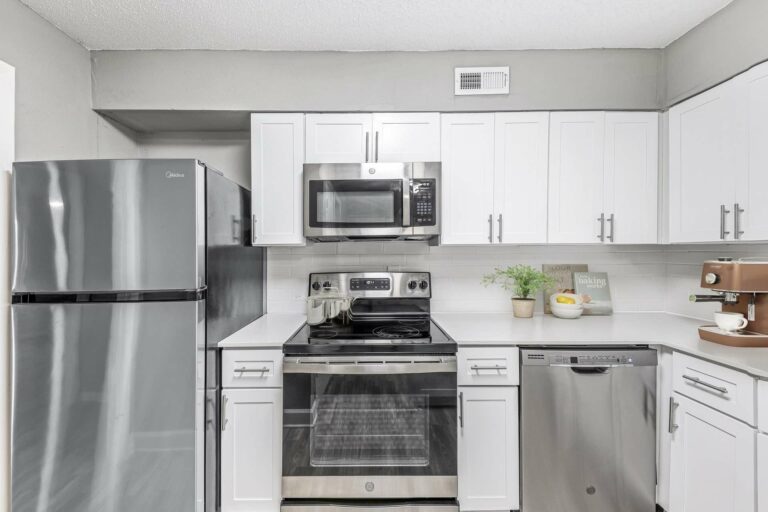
<point x="107" y="407"/>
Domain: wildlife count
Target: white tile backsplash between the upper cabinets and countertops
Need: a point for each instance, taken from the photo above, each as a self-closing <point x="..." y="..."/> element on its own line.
<point x="642" y="278"/>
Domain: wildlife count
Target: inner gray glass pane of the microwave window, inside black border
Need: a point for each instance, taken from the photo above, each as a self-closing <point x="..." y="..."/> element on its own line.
<point x="356" y="207"/>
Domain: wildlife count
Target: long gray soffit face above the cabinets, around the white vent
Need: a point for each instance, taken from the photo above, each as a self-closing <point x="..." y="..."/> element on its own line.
<point x="371" y="81"/>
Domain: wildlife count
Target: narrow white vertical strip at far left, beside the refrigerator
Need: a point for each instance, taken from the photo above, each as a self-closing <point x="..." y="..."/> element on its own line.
<point x="7" y="108"/>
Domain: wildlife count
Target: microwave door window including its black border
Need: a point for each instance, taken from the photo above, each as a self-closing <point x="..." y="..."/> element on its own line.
<point x="355" y="203"/>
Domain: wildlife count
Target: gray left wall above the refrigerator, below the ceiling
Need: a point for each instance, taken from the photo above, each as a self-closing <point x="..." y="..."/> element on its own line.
<point x="53" y="93"/>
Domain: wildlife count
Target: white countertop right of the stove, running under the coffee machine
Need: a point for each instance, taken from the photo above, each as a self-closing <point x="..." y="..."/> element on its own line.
<point x="676" y="332"/>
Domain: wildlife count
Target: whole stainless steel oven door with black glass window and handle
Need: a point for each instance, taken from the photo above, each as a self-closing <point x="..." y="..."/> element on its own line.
<point x="370" y="427"/>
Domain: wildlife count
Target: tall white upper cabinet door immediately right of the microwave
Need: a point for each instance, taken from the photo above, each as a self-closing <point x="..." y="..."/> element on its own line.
<point x="467" y="153"/>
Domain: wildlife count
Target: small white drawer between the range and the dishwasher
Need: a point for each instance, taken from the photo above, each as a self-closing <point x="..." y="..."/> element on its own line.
<point x="489" y="366"/>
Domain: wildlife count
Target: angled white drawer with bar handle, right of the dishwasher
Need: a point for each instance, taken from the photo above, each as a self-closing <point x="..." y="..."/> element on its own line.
<point x="729" y="391"/>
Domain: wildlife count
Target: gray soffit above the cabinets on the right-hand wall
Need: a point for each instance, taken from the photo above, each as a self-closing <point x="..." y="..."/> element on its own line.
<point x="726" y="44"/>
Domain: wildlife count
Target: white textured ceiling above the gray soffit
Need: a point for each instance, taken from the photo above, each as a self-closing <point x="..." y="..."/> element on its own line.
<point x="375" y="25"/>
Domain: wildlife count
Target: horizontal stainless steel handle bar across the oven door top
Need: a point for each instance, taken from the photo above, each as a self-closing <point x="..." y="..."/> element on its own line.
<point x="432" y="365"/>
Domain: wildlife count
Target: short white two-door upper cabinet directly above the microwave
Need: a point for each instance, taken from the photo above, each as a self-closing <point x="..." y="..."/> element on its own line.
<point x="380" y="137"/>
